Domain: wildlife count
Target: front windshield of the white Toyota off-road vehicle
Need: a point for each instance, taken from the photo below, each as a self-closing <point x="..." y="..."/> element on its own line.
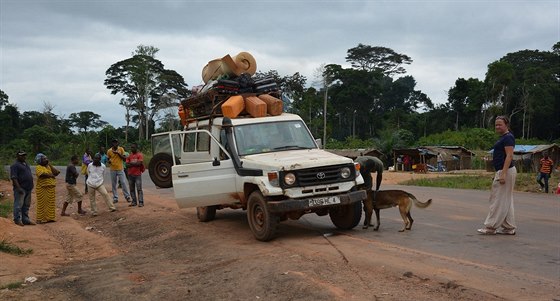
<point x="272" y="136"/>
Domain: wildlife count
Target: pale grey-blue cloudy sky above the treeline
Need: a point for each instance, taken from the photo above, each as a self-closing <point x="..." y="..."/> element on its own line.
<point x="57" y="51"/>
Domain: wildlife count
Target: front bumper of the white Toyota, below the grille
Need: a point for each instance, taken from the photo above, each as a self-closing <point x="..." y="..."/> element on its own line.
<point x="305" y="204"/>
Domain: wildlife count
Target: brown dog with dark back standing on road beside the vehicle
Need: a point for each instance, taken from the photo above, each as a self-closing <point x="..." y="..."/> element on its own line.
<point x="383" y="199"/>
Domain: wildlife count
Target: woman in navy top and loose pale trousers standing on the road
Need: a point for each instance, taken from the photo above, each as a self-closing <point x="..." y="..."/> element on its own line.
<point x="501" y="196"/>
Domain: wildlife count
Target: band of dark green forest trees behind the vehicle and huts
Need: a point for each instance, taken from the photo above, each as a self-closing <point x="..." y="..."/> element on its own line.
<point x="372" y="103"/>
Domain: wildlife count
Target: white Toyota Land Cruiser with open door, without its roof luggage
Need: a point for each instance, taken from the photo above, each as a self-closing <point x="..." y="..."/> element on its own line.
<point x="270" y="166"/>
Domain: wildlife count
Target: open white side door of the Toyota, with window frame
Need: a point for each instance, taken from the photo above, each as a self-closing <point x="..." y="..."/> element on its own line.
<point x="208" y="175"/>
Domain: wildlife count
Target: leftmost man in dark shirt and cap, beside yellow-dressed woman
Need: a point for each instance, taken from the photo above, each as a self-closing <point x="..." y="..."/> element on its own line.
<point x="22" y="181"/>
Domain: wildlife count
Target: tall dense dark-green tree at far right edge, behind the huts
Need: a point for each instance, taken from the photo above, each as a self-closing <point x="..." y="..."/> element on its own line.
<point x="530" y="91"/>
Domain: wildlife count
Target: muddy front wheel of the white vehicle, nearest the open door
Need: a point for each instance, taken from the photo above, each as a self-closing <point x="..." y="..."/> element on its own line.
<point x="263" y="224"/>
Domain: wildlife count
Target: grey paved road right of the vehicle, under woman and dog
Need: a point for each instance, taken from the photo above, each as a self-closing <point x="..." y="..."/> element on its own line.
<point x="444" y="236"/>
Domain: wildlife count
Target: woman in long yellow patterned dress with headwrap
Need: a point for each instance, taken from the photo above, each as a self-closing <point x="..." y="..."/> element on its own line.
<point x="45" y="189"/>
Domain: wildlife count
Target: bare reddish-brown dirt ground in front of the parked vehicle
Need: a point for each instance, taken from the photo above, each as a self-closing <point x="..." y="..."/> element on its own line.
<point x="161" y="252"/>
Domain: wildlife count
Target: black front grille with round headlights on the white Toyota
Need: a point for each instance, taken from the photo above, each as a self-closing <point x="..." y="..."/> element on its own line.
<point x="318" y="176"/>
